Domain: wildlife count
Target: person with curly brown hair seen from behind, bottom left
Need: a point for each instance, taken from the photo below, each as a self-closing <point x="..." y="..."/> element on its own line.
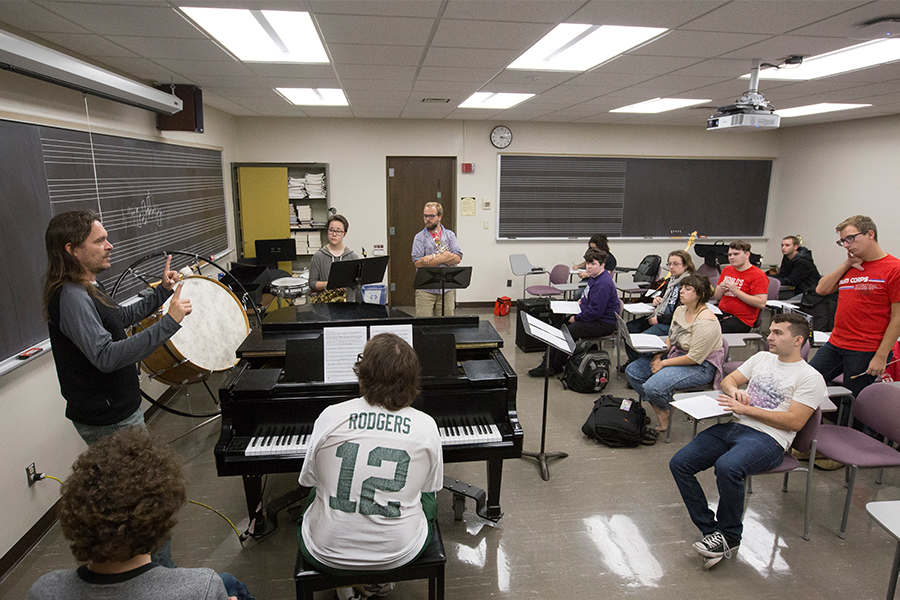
<point x="117" y="507"/>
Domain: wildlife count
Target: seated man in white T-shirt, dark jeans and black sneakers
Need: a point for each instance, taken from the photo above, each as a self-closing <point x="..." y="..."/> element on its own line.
<point x="783" y="392"/>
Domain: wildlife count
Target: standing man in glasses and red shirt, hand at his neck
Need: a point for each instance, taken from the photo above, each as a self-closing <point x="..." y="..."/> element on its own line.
<point x="867" y="322"/>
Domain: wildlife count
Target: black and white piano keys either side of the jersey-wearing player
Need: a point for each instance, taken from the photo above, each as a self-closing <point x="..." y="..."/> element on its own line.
<point x="286" y="440"/>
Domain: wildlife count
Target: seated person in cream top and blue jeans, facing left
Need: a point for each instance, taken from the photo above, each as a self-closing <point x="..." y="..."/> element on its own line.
<point x="694" y="354"/>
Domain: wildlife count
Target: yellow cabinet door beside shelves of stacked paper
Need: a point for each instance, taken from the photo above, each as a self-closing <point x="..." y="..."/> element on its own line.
<point x="263" y="202"/>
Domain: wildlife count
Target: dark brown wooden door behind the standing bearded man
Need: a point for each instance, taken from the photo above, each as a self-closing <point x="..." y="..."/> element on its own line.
<point x="412" y="181"/>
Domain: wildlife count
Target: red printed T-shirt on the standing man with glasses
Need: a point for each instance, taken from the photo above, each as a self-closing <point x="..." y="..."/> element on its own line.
<point x="864" y="304"/>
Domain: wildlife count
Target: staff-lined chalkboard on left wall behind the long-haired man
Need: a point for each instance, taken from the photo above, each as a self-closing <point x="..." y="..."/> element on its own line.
<point x="151" y="197"/>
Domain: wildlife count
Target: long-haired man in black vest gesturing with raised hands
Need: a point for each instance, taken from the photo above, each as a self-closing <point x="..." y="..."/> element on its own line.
<point x="95" y="360"/>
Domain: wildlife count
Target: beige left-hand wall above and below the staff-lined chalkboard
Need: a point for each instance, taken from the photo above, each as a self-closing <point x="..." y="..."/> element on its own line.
<point x="33" y="427"/>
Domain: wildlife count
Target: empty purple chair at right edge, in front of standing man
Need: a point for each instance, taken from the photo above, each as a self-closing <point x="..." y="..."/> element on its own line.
<point x="878" y="406"/>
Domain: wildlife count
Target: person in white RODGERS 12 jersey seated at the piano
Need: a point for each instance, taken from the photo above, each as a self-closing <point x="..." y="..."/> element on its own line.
<point x="374" y="464"/>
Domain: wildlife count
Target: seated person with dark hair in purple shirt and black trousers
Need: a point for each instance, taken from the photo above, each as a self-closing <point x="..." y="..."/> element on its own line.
<point x="599" y="306"/>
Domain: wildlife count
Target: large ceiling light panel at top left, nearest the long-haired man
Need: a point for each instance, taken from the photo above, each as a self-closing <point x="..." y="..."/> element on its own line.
<point x="275" y="36"/>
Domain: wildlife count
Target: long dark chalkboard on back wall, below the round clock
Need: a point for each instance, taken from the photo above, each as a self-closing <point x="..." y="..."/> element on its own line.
<point x="568" y="197"/>
